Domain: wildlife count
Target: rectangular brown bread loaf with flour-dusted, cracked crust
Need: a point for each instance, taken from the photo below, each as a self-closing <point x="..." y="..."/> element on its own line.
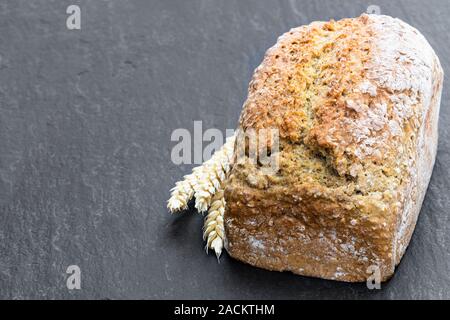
<point x="356" y="105"/>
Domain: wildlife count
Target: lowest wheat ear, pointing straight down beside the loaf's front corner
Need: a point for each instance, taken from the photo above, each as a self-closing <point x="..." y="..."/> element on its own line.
<point x="213" y="230"/>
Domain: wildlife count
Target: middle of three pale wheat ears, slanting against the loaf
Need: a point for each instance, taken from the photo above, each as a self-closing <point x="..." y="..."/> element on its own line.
<point x="213" y="175"/>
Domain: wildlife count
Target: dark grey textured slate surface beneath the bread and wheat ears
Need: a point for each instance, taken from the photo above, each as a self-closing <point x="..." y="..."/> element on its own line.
<point x="85" y="124"/>
